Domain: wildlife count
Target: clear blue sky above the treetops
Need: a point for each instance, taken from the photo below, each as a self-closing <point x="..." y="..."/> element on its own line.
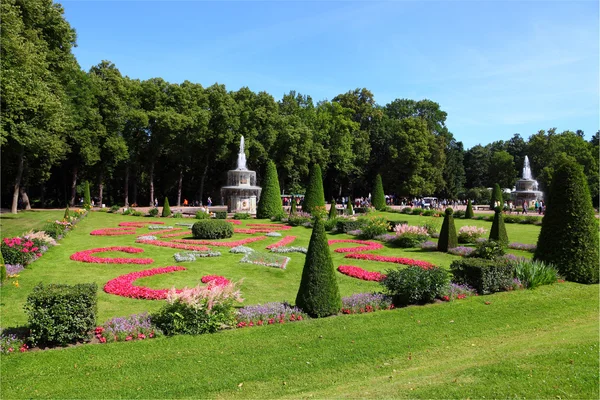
<point x="496" y="67"/>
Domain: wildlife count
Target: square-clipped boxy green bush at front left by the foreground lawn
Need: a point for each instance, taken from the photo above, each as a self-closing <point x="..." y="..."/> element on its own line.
<point x="61" y="314"/>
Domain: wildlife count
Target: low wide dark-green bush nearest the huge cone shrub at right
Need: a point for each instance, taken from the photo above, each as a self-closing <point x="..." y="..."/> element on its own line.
<point x="485" y="276"/>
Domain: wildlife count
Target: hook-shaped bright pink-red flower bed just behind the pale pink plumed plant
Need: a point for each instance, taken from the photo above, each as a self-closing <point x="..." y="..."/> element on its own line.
<point x="123" y="285"/>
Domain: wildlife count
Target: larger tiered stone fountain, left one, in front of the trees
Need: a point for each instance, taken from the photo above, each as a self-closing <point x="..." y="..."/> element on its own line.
<point x="241" y="193"/>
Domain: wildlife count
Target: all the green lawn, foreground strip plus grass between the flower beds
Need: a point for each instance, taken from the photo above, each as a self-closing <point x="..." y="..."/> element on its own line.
<point x="540" y="343"/>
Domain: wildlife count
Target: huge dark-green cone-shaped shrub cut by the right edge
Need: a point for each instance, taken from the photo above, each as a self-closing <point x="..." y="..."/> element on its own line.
<point x="569" y="235"/>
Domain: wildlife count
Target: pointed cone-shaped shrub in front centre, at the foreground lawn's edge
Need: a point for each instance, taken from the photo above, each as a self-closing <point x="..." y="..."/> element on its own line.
<point x="318" y="294"/>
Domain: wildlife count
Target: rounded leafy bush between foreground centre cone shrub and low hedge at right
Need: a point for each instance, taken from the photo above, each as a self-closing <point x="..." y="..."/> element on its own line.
<point x="415" y="285"/>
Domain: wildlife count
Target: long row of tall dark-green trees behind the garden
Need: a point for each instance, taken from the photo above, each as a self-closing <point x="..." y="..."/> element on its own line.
<point x="138" y="140"/>
